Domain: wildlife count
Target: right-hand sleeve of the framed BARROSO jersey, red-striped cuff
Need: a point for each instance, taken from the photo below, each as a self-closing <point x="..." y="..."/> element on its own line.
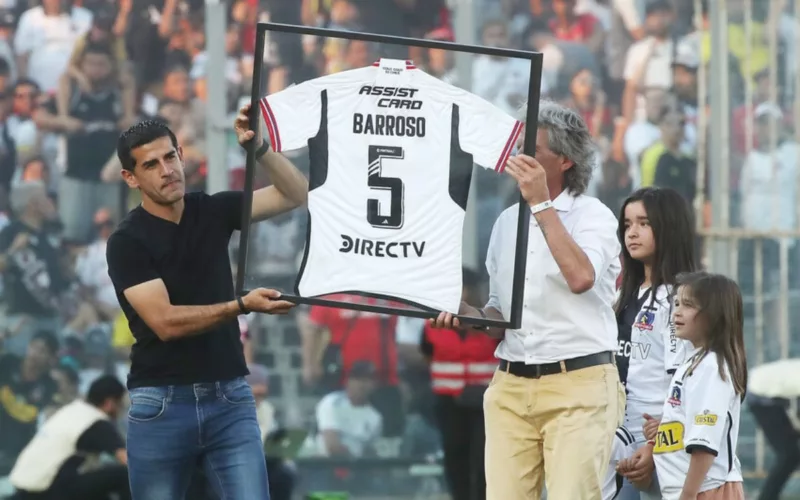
<point x="486" y="132"/>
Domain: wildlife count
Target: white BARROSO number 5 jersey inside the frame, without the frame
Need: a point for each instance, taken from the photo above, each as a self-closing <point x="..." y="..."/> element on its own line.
<point x="391" y="151"/>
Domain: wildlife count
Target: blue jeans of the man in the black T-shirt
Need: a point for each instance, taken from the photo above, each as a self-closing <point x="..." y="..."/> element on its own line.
<point x="172" y="429"/>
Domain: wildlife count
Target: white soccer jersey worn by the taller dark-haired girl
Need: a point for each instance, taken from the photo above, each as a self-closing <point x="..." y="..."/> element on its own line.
<point x="653" y="353"/>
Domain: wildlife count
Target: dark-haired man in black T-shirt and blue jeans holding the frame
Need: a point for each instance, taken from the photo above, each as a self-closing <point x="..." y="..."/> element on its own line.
<point x="169" y="263"/>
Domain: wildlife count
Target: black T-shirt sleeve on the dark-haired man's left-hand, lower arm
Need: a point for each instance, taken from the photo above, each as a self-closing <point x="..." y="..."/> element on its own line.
<point x="129" y="263"/>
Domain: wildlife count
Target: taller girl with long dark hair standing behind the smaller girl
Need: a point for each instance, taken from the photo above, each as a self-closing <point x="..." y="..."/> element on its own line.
<point x="657" y="237"/>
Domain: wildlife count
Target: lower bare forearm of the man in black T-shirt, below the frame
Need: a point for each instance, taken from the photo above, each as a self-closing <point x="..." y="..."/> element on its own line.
<point x="186" y="321"/>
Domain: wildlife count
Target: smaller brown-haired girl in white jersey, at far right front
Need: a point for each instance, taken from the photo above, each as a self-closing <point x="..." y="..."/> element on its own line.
<point x="695" y="445"/>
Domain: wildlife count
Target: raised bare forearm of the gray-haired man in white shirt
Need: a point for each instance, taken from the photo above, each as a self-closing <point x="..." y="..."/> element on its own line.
<point x="571" y="259"/>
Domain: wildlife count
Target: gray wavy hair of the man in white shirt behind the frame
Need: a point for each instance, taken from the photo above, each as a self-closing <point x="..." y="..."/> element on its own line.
<point x="568" y="135"/>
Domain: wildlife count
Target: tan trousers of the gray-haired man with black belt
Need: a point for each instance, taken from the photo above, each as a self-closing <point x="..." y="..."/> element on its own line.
<point x="558" y="428"/>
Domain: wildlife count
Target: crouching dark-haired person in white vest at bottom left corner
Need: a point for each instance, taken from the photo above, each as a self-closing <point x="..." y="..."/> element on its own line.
<point x="53" y="465"/>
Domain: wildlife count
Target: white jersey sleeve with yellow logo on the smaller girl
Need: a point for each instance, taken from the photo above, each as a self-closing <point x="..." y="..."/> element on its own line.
<point x="707" y="410"/>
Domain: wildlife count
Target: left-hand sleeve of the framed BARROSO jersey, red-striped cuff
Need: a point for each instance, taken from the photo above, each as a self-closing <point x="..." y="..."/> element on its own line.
<point x="292" y="116"/>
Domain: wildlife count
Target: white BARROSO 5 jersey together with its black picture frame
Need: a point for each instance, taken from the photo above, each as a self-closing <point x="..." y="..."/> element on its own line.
<point x="391" y="151"/>
